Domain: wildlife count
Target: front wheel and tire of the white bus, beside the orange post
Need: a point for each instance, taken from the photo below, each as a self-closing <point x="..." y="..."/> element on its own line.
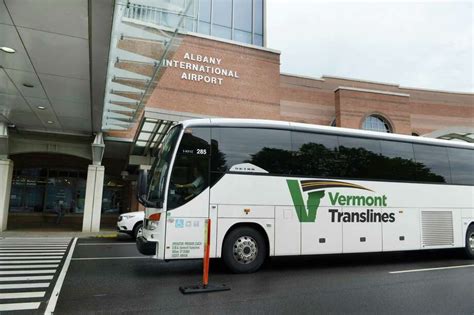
<point x="244" y="250"/>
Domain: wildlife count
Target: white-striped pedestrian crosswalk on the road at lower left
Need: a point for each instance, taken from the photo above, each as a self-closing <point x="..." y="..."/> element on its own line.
<point x="29" y="269"/>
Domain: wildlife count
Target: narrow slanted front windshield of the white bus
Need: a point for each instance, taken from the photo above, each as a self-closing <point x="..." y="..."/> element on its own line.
<point x="160" y="168"/>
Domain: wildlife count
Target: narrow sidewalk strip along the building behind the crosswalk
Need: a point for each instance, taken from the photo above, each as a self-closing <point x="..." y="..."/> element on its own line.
<point x="55" y="233"/>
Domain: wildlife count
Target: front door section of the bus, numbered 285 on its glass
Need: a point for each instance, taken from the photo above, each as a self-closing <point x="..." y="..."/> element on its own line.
<point x="188" y="196"/>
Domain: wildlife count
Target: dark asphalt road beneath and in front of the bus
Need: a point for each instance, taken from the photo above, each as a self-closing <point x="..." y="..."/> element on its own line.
<point x="101" y="281"/>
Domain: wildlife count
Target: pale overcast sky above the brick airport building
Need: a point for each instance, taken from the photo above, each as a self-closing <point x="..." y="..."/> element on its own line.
<point x="426" y="44"/>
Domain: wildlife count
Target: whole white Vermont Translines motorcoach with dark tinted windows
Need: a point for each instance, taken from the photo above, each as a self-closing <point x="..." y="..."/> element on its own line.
<point x="277" y="188"/>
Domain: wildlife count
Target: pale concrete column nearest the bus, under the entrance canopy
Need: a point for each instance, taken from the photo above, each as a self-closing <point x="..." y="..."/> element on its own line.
<point x="93" y="201"/>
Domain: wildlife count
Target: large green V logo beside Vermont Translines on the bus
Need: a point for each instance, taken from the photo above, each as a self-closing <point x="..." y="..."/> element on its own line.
<point x="305" y="212"/>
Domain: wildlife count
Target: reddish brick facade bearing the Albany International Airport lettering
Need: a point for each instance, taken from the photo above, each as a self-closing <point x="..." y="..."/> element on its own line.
<point x="260" y="91"/>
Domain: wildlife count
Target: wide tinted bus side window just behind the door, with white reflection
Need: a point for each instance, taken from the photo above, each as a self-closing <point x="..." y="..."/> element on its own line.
<point x="241" y="149"/>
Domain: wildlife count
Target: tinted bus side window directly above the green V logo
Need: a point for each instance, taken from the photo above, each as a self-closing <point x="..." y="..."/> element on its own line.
<point x="315" y="154"/>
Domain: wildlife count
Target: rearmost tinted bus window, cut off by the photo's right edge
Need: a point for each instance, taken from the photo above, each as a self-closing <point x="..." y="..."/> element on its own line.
<point x="462" y="166"/>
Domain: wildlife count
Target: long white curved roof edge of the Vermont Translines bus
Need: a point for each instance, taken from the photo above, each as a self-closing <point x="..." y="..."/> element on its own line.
<point x="276" y="124"/>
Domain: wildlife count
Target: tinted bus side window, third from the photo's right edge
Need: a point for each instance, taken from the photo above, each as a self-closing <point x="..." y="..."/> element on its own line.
<point x="398" y="161"/>
